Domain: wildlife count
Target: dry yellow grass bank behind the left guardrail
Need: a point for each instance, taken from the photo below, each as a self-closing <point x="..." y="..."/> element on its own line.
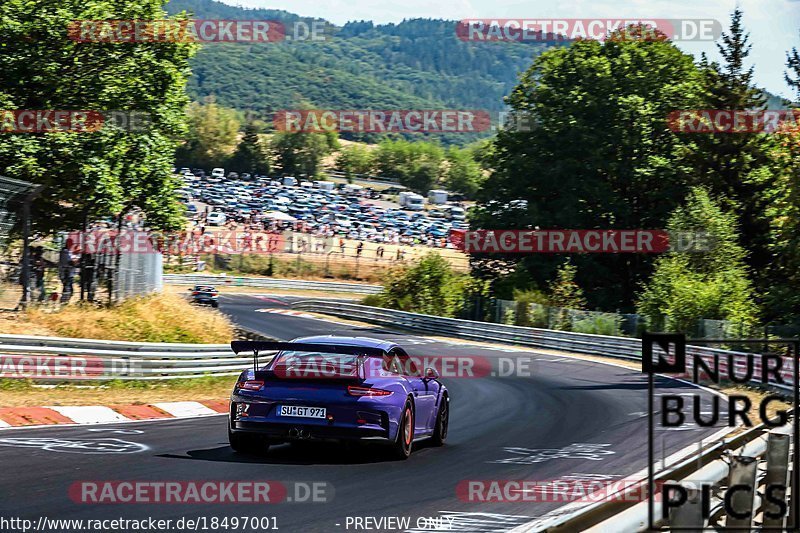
<point x="157" y="318"/>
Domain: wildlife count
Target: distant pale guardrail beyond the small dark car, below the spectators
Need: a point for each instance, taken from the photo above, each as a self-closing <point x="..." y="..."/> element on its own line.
<point x="272" y="283"/>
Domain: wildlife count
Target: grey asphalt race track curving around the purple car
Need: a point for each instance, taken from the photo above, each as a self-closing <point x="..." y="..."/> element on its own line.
<point x="568" y="417"/>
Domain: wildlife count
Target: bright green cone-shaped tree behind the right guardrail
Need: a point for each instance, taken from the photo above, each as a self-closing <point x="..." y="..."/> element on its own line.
<point x="714" y="284"/>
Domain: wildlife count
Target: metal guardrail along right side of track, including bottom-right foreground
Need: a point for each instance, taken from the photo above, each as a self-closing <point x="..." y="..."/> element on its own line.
<point x="751" y="444"/>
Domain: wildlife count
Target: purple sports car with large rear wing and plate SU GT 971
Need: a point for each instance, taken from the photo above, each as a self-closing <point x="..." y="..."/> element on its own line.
<point x="336" y="388"/>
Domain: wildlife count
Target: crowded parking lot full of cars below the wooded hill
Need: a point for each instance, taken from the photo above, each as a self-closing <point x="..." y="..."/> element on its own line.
<point x="323" y="209"/>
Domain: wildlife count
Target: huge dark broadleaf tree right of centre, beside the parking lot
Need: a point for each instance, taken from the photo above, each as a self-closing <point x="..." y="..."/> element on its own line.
<point x="601" y="156"/>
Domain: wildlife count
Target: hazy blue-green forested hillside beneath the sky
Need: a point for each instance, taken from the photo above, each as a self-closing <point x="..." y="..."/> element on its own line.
<point x="415" y="64"/>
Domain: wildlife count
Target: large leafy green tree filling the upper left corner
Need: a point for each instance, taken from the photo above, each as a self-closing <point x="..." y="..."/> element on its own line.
<point x="120" y="167"/>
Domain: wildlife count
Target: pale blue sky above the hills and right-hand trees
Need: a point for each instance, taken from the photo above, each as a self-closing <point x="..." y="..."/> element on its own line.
<point x="774" y="25"/>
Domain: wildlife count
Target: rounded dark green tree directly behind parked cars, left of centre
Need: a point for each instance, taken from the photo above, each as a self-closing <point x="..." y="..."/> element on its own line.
<point x="302" y="153"/>
